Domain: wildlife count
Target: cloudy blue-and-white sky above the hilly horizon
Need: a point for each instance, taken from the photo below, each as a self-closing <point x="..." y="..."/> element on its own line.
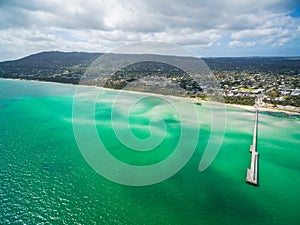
<point x="209" y="28"/>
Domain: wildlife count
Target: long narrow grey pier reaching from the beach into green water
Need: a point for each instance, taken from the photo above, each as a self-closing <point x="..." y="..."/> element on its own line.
<point x="252" y="172"/>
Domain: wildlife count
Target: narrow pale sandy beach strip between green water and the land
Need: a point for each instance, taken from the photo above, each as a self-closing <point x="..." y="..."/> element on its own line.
<point x="244" y="107"/>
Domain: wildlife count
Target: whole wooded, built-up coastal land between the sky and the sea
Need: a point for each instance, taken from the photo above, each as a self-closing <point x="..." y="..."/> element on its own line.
<point x="270" y="83"/>
